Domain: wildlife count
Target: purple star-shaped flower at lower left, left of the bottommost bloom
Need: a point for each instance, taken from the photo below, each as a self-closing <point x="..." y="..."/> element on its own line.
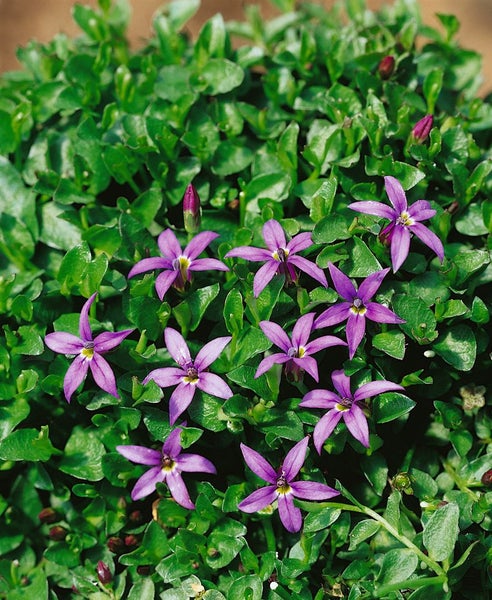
<point x="167" y="465"/>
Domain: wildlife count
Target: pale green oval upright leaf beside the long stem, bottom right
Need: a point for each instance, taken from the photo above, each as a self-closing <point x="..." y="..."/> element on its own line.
<point x="441" y="531"/>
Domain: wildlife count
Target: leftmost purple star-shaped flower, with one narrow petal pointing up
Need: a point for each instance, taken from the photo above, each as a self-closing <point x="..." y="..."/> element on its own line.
<point x="88" y="353"/>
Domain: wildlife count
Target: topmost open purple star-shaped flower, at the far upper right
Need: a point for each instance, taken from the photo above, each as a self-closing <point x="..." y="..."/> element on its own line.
<point x="405" y="220"/>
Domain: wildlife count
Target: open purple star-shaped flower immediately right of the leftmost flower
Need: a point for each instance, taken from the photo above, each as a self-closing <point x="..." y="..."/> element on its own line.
<point x="191" y="374"/>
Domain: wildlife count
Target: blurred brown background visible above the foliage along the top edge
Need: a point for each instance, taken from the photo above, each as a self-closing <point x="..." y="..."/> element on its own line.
<point x="22" y="20"/>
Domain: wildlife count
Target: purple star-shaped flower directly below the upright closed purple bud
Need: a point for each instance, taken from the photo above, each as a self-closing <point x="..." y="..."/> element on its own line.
<point x="178" y="264"/>
